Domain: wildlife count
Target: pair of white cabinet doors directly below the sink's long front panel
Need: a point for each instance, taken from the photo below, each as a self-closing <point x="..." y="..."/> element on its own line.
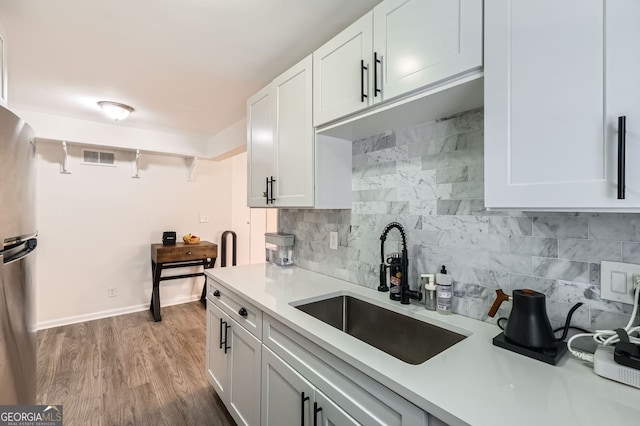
<point x="289" y="399"/>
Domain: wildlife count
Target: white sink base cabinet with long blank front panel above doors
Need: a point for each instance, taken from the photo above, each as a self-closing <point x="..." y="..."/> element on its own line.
<point x="344" y="395"/>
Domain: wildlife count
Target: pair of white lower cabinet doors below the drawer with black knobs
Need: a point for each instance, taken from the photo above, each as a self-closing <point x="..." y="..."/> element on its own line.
<point x="233" y="365"/>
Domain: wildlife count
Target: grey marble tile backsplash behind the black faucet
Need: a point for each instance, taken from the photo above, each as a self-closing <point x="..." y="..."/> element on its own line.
<point x="429" y="178"/>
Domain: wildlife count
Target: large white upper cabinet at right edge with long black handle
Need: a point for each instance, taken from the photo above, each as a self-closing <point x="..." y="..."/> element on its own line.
<point x="558" y="75"/>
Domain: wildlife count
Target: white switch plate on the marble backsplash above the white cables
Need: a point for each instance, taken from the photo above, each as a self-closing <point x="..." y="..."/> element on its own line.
<point x="616" y="281"/>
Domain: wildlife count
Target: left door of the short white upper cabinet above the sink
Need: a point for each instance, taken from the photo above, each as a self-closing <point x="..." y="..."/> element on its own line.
<point x="341" y="84"/>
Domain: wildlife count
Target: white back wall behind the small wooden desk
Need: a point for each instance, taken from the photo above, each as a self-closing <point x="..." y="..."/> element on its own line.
<point x="96" y="226"/>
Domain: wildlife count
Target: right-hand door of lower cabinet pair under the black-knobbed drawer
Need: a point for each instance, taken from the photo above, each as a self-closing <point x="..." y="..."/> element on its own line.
<point x="244" y="375"/>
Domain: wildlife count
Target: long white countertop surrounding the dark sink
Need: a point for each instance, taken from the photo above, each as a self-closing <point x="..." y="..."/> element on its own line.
<point x="471" y="383"/>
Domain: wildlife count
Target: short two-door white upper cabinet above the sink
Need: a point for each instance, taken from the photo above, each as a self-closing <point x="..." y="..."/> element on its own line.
<point x="398" y="48"/>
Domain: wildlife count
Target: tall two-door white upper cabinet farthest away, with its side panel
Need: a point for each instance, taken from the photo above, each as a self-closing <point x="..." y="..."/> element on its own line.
<point x="288" y="166"/>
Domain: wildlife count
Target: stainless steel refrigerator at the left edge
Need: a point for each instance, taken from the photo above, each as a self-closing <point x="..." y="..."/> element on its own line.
<point x="18" y="242"/>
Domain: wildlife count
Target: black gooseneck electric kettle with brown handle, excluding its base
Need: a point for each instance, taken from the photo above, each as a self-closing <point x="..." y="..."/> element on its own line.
<point x="528" y="324"/>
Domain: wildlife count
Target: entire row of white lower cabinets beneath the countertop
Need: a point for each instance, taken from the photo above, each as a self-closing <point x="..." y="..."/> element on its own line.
<point x="267" y="374"/>
